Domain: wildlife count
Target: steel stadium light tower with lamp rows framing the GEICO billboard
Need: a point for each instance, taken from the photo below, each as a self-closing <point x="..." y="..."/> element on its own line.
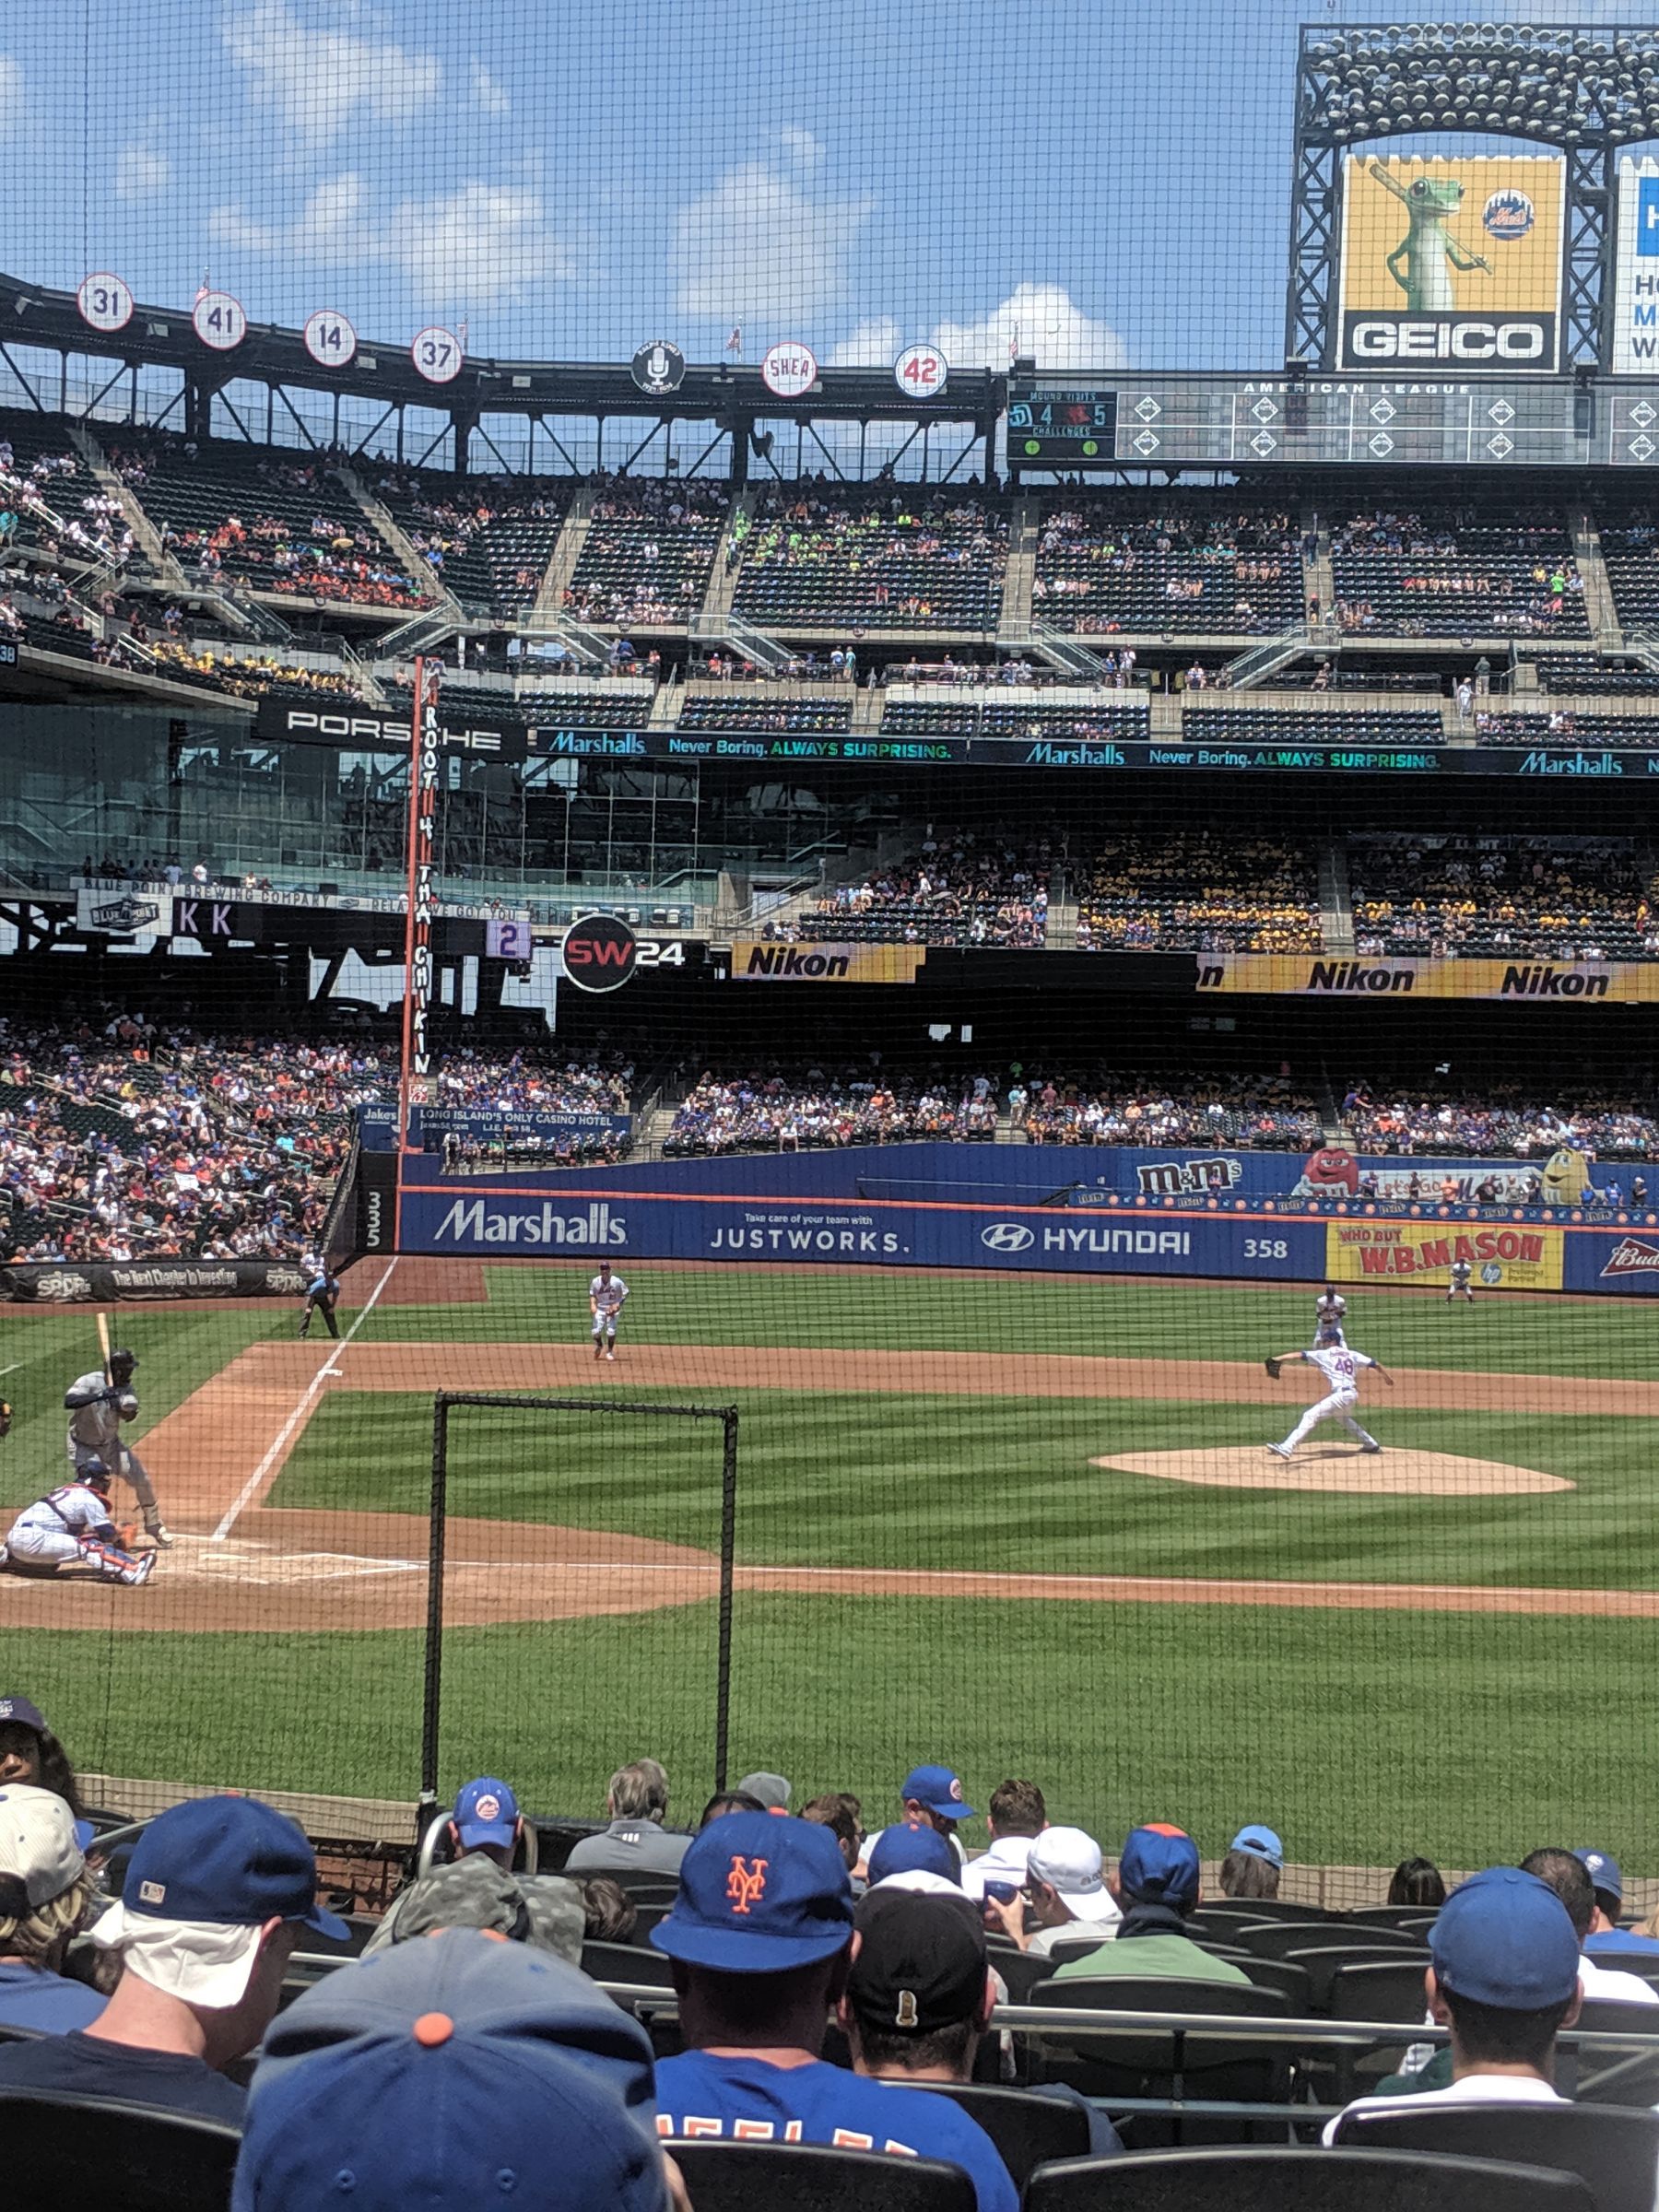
<point x="1580" y="92"/>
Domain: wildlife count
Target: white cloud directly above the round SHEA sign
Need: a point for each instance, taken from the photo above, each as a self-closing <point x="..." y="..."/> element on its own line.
<point x="760" y="247"/>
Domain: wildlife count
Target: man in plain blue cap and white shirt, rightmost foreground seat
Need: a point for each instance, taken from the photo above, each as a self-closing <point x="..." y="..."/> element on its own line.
<point x="1505" y="1979"/>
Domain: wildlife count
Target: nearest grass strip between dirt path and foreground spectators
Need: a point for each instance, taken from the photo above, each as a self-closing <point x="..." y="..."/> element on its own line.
<point x="1395" y="1738"/>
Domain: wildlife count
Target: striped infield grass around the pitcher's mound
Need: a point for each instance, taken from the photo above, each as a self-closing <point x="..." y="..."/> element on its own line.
<point x="1001" y="1485"/>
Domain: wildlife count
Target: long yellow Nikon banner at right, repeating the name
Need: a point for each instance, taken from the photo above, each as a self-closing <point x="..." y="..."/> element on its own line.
<point x="1538" y="983"/>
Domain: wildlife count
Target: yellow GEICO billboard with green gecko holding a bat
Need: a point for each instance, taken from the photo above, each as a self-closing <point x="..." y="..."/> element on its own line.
<point x="1452" y="264"/>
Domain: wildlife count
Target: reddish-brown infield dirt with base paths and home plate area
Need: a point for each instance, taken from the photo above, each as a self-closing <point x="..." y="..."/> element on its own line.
<point x="366" y="1572"/>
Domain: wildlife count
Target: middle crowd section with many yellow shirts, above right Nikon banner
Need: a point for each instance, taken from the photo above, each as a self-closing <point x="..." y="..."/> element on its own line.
<point x="1200" y="890"/>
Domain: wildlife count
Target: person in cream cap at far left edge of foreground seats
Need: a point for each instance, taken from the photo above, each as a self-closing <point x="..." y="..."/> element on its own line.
<point x="43" y="1897"/>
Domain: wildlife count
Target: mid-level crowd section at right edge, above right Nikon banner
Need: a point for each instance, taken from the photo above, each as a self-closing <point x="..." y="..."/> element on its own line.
<point x="1512" y="897"/>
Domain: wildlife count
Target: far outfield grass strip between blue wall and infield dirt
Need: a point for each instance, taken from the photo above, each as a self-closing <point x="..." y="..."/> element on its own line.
<point x="919" y="1311"/>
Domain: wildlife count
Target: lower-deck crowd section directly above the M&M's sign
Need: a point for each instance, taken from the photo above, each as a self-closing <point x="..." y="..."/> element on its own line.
<point x="1271" y="1114"/>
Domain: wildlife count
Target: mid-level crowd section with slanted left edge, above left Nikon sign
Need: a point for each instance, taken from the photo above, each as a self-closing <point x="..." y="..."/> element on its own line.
<point x="954" y="890"/>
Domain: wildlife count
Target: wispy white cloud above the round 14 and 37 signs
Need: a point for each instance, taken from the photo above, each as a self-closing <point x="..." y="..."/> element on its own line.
<point x="468" y="249"/>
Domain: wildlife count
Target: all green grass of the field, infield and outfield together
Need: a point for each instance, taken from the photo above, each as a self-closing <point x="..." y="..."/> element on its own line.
<point x="1361" y="1735"/>
